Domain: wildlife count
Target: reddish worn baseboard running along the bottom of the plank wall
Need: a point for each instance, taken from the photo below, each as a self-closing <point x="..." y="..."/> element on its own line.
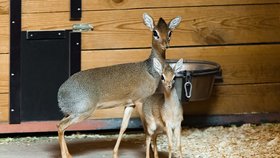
<point x="135" y="123"/>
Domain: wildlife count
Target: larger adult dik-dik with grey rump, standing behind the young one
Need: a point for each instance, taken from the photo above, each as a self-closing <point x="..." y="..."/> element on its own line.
<point x="118" y="85"/>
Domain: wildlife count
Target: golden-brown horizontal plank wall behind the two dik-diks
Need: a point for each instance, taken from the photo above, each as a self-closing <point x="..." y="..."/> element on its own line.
<point x="242" y="36"/>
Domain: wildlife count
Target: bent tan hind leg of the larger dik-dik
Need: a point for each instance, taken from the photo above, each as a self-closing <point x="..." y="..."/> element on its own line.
<point x="63" y="124"/>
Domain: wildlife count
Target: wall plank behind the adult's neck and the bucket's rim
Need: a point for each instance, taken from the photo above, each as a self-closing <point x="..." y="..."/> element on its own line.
<point x="240" y="64"/>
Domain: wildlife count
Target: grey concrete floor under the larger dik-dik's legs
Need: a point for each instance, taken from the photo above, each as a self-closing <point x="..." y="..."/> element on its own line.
<point x="78" y="147"/>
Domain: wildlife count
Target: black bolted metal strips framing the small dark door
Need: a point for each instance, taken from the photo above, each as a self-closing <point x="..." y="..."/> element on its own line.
<point x="15" y="54"/>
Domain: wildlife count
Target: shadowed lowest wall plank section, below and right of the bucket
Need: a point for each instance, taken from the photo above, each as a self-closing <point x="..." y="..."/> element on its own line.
<point x="238" y="99"/>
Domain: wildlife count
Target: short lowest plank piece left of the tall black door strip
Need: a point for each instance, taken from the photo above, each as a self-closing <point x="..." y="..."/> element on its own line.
<point x="4" y="107"/>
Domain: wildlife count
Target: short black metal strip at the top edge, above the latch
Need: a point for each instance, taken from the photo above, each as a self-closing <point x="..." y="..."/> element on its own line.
<point x="75" y="9"/>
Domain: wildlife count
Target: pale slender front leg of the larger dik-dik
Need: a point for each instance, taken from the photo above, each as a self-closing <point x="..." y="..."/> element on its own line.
<point x="126" y="116"/>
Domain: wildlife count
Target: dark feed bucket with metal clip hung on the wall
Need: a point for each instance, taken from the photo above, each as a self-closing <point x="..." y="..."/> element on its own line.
<point x="195" y="81"/>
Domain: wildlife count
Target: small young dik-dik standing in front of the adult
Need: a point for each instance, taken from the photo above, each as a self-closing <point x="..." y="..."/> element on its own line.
<point x="163" y="112"/>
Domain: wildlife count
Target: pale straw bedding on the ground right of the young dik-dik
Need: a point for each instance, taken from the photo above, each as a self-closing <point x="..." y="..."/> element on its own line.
<point x="234" y="142"/>
